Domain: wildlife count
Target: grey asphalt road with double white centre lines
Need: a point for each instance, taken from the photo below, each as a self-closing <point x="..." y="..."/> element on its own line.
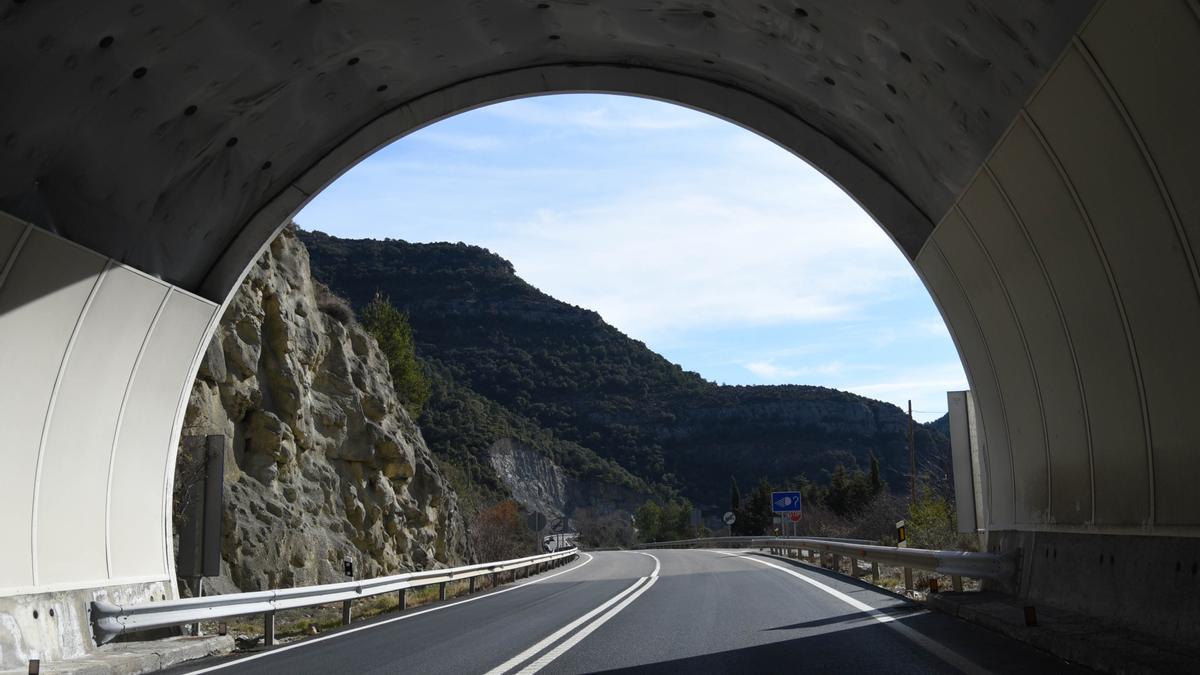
<point x="668" y="612"/>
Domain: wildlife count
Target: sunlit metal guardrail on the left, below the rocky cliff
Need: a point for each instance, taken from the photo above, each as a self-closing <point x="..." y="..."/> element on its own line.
<point x="111" y="620"/>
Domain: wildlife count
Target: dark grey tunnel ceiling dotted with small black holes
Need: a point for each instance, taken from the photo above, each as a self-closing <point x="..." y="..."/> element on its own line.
<point x="153" y="132"/>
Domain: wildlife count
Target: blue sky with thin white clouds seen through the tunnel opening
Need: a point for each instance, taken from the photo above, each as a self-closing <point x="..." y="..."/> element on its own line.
<point x="718" y="249"/>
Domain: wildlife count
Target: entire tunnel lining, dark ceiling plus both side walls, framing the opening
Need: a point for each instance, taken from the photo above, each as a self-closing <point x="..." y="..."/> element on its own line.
<point x="1035" y="162"/>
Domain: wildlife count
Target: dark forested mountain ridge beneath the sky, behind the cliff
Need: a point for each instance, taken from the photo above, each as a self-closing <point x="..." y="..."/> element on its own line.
<point x="585" y="383"/>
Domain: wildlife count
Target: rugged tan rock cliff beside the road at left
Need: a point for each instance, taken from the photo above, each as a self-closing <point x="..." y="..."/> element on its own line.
<point x="322" y="461"/>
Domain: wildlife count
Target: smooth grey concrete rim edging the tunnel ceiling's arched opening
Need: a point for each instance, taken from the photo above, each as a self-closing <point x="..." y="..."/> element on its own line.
<point x="899" y="218"/>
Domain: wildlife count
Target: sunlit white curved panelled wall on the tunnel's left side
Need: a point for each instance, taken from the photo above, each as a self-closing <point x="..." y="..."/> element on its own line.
<point x="100" y="357"/>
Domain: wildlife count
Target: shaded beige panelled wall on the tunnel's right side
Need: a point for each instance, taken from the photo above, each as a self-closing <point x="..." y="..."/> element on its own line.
<point x="1067" y="273"/>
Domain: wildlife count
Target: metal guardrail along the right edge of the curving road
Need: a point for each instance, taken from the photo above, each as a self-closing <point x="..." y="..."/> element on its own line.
<point x="953" y="564"/>
